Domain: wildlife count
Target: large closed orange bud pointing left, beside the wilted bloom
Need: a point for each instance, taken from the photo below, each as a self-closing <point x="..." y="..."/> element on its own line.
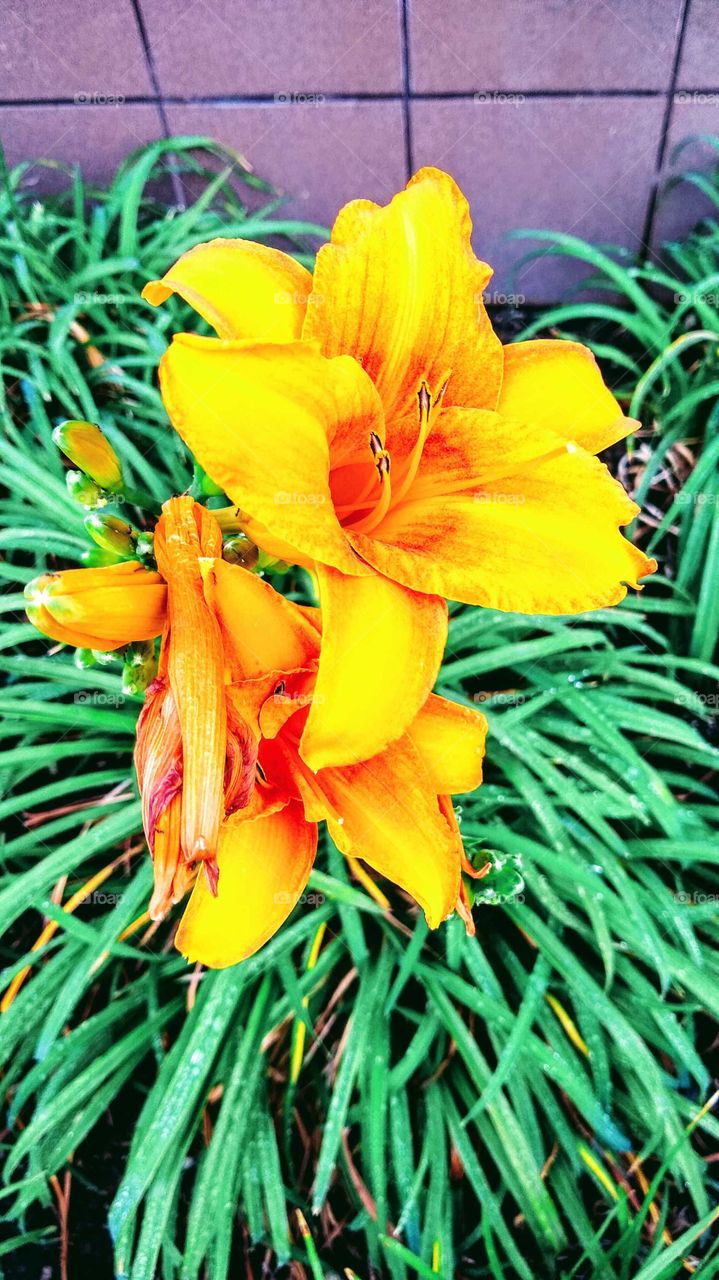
<point x="99" y="609"/>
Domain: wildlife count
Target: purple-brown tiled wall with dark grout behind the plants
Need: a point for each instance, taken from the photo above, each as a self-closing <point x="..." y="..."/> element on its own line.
<point x="551" y="113"/>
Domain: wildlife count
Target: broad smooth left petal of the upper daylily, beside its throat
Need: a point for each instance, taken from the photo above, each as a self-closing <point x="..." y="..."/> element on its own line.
<point x="259" y="419"/>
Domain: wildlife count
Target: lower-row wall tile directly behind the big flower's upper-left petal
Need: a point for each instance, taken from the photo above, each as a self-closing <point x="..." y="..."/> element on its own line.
<point x="320" y="157"/>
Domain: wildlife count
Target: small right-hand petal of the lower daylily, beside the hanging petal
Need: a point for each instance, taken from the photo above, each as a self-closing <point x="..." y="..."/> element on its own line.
<point x="451" y="739"/>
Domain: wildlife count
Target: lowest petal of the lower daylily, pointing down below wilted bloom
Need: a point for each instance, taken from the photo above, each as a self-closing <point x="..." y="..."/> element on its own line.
<point x="264" y="867"/>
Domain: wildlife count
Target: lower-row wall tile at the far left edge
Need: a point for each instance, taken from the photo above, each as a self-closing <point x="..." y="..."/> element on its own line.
<point x="95" y="138"/>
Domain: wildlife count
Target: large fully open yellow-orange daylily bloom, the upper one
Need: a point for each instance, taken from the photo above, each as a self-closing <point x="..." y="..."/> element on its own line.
<point x="369" y="424"/>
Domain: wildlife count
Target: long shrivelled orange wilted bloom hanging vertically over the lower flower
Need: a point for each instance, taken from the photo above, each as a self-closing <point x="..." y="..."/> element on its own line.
<point x="187" y="534"/>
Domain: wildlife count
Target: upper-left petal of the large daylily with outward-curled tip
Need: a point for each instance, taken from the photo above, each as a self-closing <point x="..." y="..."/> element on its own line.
<point x="244" y="290"/>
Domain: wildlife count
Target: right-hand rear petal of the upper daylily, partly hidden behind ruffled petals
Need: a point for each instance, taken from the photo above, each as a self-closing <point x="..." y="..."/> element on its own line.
<point x="558" y="386"/>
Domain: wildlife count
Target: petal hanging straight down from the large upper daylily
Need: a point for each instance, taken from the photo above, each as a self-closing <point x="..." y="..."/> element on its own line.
<point x="382" y="651"/>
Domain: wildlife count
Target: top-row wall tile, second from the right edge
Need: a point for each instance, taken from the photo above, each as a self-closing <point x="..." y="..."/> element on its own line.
<point x="471" y="45"/>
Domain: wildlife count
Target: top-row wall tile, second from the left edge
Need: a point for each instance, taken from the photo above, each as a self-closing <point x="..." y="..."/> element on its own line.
<point x="276" y="47"/>
